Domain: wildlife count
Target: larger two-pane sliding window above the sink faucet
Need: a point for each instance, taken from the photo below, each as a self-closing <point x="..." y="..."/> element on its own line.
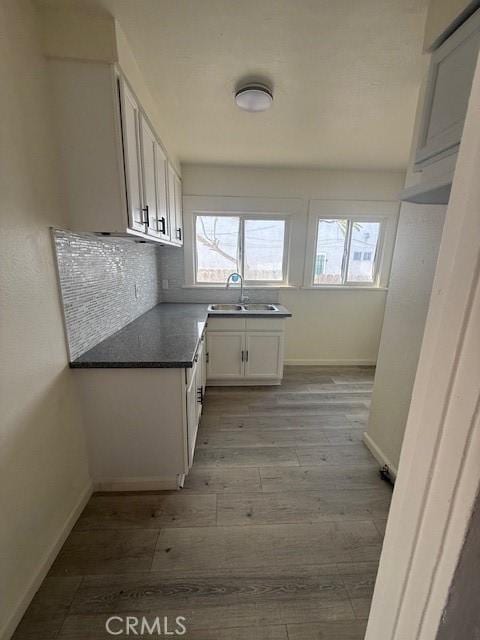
<point x="254" y="246"/>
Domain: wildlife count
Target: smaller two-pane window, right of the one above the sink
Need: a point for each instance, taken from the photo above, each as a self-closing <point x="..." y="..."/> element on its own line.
<point x="346" y="251"/>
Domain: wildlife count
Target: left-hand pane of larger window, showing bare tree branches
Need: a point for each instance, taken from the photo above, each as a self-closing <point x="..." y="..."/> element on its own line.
<point x="217" y="239"/>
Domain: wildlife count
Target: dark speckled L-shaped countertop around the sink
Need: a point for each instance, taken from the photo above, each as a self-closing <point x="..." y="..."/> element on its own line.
<point x="167" y="336"/>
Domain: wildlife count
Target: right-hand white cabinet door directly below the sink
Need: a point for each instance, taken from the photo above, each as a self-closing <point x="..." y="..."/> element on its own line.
<point x="263" y="355"/>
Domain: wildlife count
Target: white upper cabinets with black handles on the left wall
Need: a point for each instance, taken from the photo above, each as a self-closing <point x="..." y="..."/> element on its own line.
<point x="117" y="176"/>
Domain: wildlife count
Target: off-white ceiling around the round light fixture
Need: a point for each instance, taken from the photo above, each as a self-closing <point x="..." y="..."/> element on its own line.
<point x="345" y="75"/>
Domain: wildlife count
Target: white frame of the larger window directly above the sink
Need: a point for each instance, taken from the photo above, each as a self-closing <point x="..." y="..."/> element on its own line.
<point x="243" y="217"/>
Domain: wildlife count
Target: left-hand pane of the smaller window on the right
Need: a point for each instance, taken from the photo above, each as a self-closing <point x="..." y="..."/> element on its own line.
<point x="329" y="252"/>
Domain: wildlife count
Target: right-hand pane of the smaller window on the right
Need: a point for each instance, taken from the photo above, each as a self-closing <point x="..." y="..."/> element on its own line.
<point x="364" y="244"/>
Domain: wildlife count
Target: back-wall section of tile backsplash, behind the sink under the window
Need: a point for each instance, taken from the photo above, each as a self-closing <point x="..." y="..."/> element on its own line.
<point x="171" y="268"/>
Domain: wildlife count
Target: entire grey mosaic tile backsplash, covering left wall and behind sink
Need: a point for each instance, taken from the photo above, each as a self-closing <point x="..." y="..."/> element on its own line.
<point x="108" y="282"/>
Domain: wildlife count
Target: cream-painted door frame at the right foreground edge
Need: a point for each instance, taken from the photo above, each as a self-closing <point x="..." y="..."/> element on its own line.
<point x="439" y="471"/>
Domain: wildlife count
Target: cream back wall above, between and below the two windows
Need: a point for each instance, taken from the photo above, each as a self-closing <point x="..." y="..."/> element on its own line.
<point x="327" y="326"/>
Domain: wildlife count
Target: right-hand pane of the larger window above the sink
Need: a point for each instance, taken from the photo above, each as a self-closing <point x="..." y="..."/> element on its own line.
<point x="263" y="251"/>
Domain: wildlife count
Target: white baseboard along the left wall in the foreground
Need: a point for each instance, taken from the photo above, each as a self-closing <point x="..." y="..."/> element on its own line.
<point x="44" y="565"/>
